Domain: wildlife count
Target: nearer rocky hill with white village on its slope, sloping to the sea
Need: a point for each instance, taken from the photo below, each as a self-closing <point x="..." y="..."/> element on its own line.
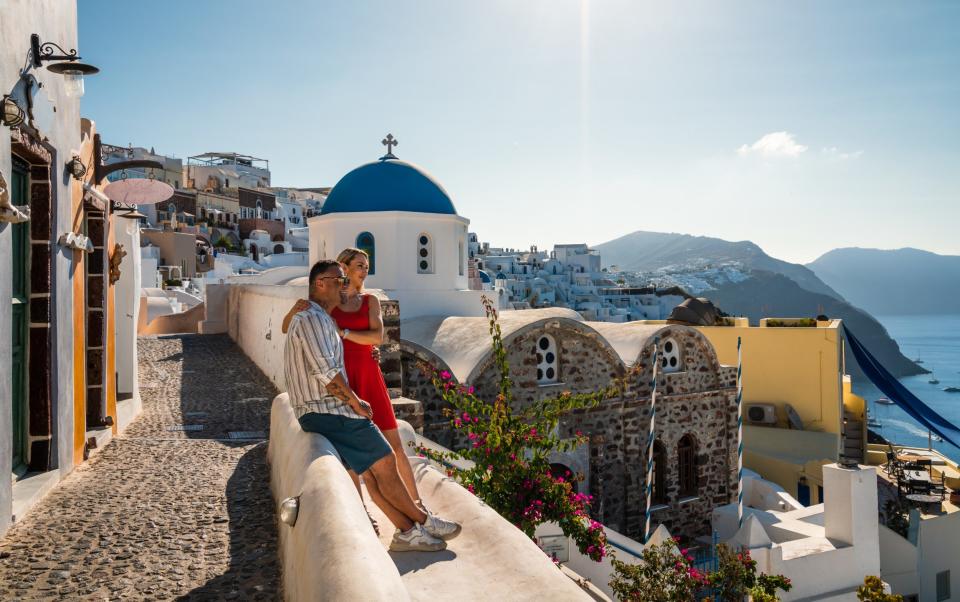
<point x="743" y="280"/>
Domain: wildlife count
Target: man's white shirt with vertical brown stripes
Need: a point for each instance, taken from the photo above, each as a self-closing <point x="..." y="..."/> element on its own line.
<point x="312" y="357"/>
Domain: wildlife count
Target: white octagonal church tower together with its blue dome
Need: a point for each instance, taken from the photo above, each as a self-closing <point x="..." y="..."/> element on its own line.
<point x="405" y="220"/>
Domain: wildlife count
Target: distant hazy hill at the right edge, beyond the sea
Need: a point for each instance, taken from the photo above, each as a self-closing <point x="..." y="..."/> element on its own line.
<point x="894" y="282"/>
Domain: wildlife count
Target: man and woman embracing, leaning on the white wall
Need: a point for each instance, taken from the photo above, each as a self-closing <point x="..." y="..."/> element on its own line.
<point x="337" y="390"/>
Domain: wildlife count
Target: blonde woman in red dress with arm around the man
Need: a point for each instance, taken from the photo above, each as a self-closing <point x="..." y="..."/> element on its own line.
<point x="360" y="324"/>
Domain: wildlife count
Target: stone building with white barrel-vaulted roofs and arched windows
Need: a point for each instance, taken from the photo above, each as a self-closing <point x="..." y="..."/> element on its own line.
<point x="555" y="350"/>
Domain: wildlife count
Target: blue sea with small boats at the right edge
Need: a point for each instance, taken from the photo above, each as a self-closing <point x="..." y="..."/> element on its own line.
<point x="934" y="341"/>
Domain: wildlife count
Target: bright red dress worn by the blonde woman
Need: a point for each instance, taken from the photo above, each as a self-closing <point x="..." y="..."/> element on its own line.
<point x="363" y="372"/>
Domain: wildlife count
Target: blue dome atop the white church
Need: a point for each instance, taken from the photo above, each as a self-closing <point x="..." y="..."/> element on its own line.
<point x="388" y="185"/>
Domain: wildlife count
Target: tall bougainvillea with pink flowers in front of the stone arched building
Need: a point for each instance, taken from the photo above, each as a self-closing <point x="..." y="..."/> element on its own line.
<point x="509" y="449"/>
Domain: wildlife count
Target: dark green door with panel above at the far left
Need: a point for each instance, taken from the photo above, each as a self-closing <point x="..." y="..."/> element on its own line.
<point x="20" y="242"/>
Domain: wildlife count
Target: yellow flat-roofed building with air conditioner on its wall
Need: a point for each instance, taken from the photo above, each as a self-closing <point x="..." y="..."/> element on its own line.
<point x="795" y="363"/>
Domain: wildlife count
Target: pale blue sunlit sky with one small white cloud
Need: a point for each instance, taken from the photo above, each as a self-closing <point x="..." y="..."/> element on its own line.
<point x="800" y="126"/>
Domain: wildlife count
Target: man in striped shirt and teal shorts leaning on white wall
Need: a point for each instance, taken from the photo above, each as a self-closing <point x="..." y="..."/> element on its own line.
<point x="325" y="404"/>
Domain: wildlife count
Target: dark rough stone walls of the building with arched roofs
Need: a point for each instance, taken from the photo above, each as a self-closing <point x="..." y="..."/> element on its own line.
<point x="699" y="400"/>
